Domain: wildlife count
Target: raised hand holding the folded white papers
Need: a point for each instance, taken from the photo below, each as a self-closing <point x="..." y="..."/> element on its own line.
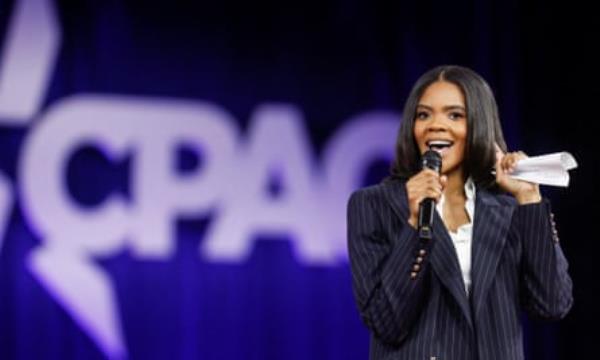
<point x="525" y="192"/>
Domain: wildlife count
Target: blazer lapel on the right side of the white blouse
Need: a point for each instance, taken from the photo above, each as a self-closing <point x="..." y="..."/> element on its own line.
<point x="492" y="220"/>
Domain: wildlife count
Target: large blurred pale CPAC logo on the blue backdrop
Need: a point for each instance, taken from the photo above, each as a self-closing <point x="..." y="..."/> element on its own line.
<point x="234" y="172"/>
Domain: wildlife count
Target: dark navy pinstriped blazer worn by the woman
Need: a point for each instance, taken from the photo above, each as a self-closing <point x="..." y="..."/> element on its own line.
<point x="516" y="264"/>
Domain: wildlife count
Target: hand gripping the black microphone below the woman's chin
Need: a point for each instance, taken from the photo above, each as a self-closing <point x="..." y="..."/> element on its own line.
<point x="425" y="184"/>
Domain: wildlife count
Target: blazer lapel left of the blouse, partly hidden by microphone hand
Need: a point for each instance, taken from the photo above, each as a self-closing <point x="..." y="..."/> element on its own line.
<point x="444" y="260"/>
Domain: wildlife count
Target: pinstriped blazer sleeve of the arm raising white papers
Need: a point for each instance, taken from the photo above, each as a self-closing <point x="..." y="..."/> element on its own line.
<point x="546" y="284"/>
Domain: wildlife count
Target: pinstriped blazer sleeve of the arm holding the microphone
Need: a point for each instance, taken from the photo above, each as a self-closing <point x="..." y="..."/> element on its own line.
<point x="388" y="297"/>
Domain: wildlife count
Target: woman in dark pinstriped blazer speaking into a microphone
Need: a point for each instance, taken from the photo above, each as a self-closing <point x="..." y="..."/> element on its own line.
<point x="494" y="250"/>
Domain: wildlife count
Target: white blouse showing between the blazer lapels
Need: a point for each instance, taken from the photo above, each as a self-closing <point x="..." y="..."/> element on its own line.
<point x="463" y="235"/>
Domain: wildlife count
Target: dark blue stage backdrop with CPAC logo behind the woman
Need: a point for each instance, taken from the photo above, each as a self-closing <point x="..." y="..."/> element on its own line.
<point x="324" y="64"/>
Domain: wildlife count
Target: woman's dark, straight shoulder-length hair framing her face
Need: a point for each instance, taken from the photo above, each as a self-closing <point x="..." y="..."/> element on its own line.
<point x="483" y="126"/>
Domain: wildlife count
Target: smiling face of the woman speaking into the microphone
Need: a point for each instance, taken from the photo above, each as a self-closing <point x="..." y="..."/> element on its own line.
<point x="441" y="124"/>
